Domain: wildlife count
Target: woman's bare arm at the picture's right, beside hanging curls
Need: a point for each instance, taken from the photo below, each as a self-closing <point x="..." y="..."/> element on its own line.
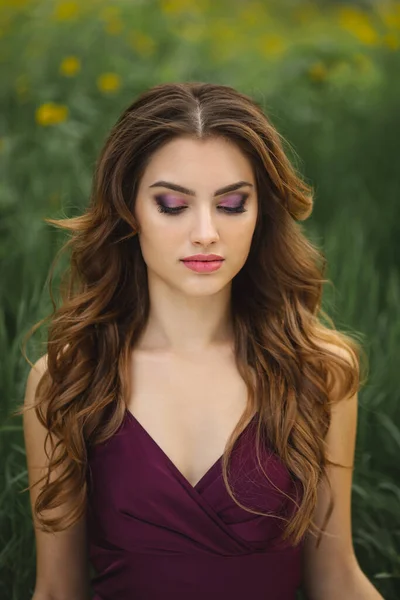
<point x="331" y="571"/>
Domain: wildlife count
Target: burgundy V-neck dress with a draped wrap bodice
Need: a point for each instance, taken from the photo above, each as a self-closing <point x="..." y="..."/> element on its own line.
<point x="152" y="535"/>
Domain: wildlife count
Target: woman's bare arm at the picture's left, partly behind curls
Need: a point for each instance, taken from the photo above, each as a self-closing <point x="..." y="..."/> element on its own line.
<point x="62" y="568"/>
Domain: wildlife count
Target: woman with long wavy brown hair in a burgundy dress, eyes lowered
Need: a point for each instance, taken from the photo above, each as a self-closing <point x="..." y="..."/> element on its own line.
<point x="202" y="420"/>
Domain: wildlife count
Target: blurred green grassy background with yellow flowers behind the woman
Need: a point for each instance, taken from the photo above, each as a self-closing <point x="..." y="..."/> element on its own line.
<point x="326" y="74"/>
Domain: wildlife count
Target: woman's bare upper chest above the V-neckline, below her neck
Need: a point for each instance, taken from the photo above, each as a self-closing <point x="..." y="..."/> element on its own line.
<point x="189" y="407"/>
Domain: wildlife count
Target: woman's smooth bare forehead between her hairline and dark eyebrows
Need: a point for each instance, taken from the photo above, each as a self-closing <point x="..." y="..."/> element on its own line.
<point x="187" y="160"/>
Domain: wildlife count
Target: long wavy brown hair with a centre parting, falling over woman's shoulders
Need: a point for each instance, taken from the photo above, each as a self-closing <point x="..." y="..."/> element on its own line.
<point x="281" y="345"/>
